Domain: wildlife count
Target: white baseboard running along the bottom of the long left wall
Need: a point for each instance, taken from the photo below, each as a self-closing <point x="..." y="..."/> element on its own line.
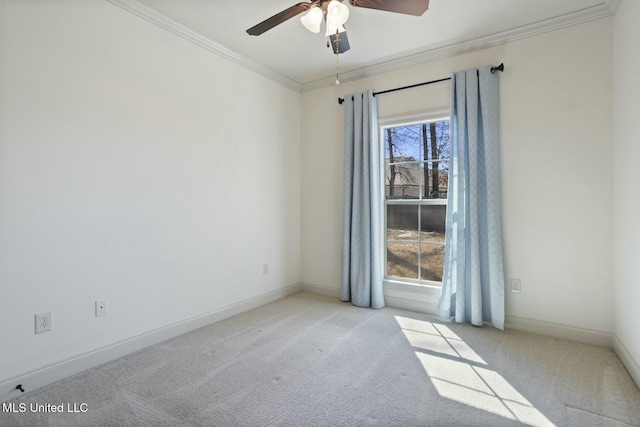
<point x="48" y="374"/>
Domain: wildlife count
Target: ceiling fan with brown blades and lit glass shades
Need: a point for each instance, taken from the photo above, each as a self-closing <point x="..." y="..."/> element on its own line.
<point x="335" y="14"/>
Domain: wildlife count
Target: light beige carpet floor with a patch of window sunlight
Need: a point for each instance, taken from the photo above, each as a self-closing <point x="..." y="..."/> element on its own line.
<point x="308" y="360"/>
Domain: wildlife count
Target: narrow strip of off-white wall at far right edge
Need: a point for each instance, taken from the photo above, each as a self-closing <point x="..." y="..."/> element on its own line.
<point x="626" y="189"/>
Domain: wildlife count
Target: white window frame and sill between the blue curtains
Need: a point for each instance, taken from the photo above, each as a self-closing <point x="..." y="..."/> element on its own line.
<point x="405" y="287"/>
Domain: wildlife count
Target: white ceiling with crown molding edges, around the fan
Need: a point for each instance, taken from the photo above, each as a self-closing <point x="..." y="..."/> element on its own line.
<point x="379" y="41"/>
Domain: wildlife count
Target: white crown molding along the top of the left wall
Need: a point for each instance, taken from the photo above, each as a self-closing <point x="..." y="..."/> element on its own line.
<point x="198" y="39"/>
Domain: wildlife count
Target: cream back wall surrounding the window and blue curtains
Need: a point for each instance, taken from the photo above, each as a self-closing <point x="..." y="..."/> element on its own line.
<point x="556" y="153"/>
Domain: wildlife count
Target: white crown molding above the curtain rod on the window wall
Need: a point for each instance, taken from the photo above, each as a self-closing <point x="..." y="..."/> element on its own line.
<point x="459" y="47"/>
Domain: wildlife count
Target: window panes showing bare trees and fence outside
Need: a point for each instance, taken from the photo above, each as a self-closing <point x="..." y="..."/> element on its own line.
<point x="416" y="183"/>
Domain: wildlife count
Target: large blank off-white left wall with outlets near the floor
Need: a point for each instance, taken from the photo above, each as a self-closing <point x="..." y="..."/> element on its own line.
<point x="132" y="165"/>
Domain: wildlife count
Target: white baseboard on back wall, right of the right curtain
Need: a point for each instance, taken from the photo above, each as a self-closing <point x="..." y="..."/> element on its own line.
<point x="556" y="330"/>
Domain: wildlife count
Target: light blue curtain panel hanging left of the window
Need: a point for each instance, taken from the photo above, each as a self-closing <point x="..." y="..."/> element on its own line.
<point x="362" y="220"/>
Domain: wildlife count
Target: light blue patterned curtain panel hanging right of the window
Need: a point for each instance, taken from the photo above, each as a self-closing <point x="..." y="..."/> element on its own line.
<point x="473" y="282"/>
